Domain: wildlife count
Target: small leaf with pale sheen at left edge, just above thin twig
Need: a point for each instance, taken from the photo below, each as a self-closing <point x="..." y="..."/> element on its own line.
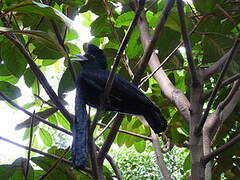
<point x="9" y="90"/>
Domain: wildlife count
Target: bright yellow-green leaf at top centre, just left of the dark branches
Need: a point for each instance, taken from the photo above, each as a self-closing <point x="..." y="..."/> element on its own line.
<point x="124" y="19"/>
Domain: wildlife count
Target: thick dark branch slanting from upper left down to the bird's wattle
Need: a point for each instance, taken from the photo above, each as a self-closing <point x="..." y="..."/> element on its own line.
<point x="40" y="77"/>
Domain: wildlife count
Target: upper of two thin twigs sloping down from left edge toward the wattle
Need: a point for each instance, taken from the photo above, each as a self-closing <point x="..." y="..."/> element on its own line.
<point x="31" y="115"/>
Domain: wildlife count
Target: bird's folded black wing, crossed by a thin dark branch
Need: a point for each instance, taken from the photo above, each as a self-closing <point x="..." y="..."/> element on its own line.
<point x="120" y="88"/>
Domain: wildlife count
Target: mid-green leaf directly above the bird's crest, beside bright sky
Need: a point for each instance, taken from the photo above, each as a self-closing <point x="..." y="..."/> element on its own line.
<point x="100" y="27"/>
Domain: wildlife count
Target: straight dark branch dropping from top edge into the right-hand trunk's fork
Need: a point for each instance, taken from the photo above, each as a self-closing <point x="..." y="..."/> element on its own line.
<point x="192" y="66"/>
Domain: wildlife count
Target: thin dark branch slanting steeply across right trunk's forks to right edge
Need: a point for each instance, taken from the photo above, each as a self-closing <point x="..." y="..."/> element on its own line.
<point x="217" y="86"/>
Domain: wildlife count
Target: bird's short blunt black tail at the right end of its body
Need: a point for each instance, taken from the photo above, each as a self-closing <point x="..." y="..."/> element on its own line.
<point x="156" y="120"/>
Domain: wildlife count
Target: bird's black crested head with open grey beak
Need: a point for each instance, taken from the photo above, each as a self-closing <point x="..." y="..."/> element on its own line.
<point x="93" y="58"/>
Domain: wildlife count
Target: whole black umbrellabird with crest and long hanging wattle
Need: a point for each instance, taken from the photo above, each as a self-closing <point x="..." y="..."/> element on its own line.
<point x="124" y="97"/>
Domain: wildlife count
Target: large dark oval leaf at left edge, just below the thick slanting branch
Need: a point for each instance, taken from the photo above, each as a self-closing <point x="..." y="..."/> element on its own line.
<point x="13" y="59"/>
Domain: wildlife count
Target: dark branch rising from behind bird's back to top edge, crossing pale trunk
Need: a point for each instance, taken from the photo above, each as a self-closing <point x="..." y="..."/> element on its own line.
<point x="150" y="47"/>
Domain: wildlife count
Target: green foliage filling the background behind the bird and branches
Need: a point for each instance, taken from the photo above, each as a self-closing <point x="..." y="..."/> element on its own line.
<point x="45" y="30"/>
